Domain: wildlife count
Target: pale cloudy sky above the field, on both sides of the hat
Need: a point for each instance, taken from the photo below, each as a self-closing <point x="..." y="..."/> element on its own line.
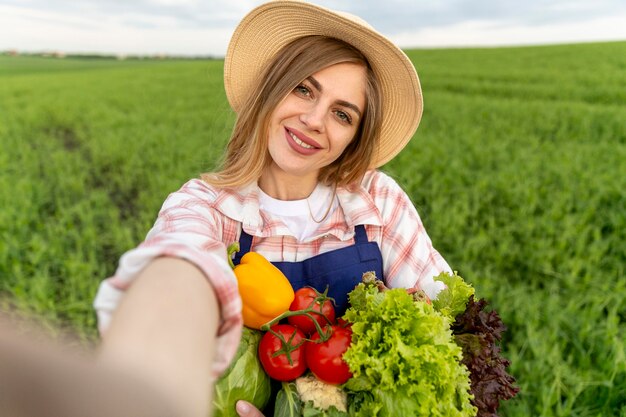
<point x="204" y="27"/>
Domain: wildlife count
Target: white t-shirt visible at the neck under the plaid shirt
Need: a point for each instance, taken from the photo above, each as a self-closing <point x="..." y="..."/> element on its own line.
<point x="299" y="215"/>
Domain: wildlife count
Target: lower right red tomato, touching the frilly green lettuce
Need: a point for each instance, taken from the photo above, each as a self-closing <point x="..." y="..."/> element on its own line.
<point x="325" y="358"/>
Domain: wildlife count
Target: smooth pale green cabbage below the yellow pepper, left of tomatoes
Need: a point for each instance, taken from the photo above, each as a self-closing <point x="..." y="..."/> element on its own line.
<point x="244" y="379"/>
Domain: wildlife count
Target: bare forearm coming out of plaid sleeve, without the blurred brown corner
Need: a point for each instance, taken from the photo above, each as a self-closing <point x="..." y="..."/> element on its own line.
<point x="165" y="331"/>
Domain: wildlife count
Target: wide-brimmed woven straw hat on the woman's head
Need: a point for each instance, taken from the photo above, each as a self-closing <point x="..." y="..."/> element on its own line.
<point x="271" y="26"/>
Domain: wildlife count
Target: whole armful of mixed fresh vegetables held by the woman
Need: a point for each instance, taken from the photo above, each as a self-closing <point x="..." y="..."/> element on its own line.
<point x="393" y="353"/>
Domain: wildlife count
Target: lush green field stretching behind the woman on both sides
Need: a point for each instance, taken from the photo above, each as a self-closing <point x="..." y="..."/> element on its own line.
<point x="518" y="171"/>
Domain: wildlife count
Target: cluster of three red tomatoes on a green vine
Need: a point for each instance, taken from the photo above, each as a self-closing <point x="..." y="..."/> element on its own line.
<point x="312" y="340"/>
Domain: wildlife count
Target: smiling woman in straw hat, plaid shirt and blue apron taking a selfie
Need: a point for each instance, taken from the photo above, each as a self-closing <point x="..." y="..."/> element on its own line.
<point x="322" y="100"/>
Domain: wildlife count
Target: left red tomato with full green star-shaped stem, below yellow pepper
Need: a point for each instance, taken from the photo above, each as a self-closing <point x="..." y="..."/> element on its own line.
<point x="278" y="366"/>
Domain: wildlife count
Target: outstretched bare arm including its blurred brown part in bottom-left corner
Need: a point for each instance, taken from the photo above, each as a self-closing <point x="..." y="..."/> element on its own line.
<point x="154" y="361"/>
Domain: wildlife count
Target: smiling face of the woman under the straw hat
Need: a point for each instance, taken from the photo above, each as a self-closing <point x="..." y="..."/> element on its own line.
<point x="315" y="123"/>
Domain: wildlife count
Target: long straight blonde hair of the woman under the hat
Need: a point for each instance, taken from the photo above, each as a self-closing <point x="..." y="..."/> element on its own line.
<point x="247" y="152"/>
